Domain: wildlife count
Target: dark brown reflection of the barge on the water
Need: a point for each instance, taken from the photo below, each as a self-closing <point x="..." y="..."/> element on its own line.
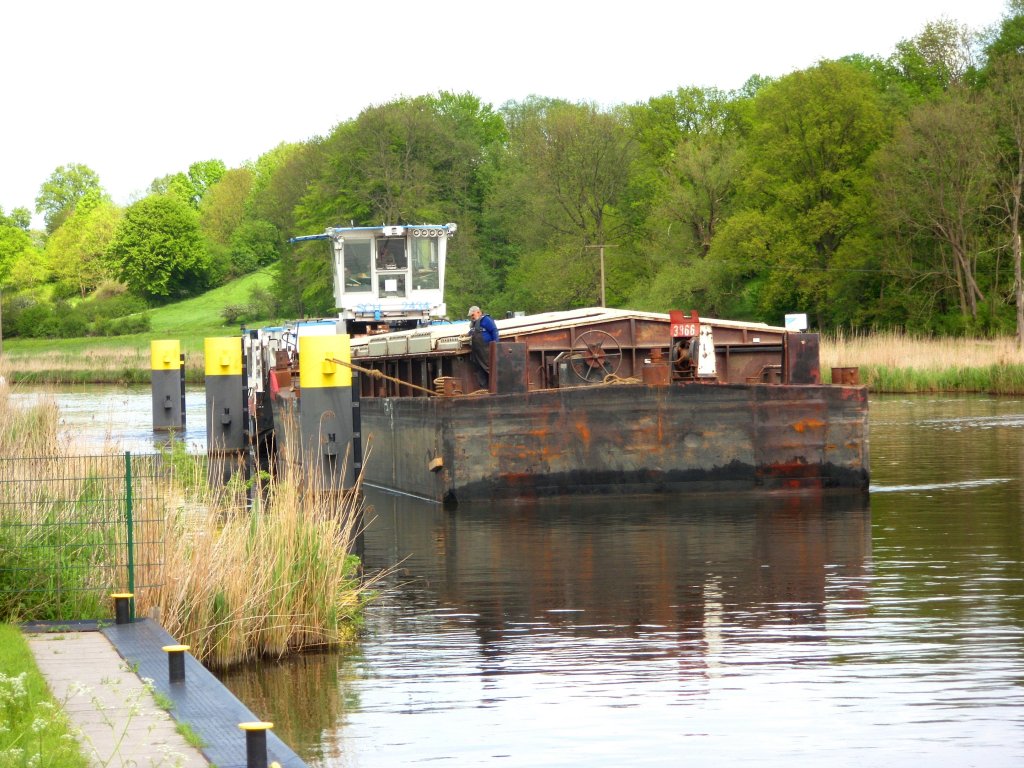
<point x="636" y="568"/>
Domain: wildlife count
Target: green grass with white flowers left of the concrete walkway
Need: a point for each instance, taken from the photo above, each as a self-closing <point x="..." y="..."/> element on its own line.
<point x="33" y="729"/>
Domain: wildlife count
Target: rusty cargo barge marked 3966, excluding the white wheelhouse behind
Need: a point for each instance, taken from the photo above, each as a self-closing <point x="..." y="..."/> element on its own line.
<point x="607" y="401"/>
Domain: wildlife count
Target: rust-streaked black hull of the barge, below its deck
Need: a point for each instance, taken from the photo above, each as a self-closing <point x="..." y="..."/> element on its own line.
<point x="619" y="440"/>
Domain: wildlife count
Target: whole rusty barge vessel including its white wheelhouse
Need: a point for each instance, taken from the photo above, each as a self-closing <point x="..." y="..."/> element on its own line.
<point x="592" y="401"/>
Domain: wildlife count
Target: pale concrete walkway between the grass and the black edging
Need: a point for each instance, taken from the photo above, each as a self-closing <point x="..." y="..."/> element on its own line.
<point x="120" y="723"/>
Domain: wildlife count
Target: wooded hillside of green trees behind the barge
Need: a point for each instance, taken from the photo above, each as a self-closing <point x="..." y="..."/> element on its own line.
<point x="866" y="192"/>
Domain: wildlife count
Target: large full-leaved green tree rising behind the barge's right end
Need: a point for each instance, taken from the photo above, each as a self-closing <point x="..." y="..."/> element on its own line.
<point x="813" y="136"/>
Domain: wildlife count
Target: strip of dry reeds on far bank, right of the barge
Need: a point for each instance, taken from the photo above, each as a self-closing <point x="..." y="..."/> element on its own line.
<point x="899" y="363"/>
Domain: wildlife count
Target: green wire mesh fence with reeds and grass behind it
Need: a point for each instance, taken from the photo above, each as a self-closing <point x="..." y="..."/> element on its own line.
<point x="73" y="530"/>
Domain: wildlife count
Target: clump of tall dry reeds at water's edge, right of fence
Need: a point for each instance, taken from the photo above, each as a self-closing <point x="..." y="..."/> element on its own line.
<point x="272" y="581"/>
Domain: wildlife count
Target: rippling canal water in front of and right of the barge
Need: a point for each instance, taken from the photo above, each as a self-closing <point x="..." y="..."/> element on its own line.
<point x="769" y="630"/>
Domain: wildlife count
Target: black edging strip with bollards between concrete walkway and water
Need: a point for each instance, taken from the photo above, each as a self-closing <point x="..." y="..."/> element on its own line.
<point x="201" y="701"/>
